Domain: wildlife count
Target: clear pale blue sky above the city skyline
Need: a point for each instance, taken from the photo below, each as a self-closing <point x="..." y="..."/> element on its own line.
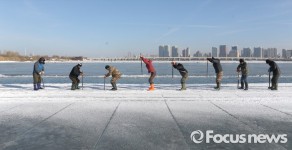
<point x="108" y="28"/>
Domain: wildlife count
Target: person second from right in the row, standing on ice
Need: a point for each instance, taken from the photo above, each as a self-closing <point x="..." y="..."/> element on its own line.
<point x="242" y="67"/>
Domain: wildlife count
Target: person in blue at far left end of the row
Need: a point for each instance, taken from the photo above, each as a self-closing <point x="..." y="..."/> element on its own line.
<point x="38" y="71"/>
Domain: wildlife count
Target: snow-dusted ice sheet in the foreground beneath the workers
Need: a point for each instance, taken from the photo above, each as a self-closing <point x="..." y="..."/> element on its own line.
<point x="133" y="118"/>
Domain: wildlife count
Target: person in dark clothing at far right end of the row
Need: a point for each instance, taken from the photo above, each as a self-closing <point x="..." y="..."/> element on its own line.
<point x="276" y="73"/>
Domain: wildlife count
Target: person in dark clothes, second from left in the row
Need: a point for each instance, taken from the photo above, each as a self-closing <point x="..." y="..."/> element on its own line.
<point x="75" y="72"/>
